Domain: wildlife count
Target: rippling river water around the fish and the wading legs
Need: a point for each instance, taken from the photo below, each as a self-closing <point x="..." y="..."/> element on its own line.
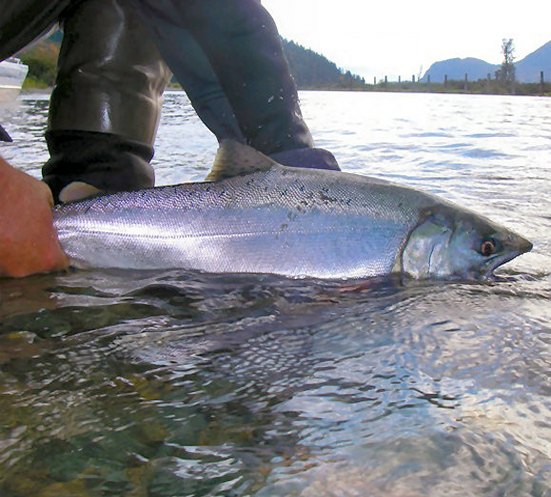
<point x="119" y="383"/>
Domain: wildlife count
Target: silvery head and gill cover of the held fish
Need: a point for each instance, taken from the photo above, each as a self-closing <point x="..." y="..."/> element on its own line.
<point x="456" y="244"/>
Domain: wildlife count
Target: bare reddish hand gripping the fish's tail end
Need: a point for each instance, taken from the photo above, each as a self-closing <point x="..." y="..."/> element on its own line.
<point x="28" y="240"/>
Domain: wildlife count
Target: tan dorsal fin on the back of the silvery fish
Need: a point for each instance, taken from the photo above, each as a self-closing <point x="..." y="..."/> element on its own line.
<point x="236" y="159"/>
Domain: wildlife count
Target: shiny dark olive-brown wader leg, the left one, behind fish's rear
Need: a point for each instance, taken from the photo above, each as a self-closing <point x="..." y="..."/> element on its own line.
<point x="106" y="103"/>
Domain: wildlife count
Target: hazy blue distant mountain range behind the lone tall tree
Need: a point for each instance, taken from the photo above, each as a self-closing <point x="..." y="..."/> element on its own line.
<point x="527" y="70"/>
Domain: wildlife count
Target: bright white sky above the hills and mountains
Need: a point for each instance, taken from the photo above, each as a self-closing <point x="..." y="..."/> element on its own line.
<point x="404" y="37"/>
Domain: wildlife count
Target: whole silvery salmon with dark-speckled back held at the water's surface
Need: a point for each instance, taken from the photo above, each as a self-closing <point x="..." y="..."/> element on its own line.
<point x="261" y="217"/>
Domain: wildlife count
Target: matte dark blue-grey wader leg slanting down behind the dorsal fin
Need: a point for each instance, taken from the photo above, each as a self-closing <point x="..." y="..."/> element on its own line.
<point x="244" y="49"/>
